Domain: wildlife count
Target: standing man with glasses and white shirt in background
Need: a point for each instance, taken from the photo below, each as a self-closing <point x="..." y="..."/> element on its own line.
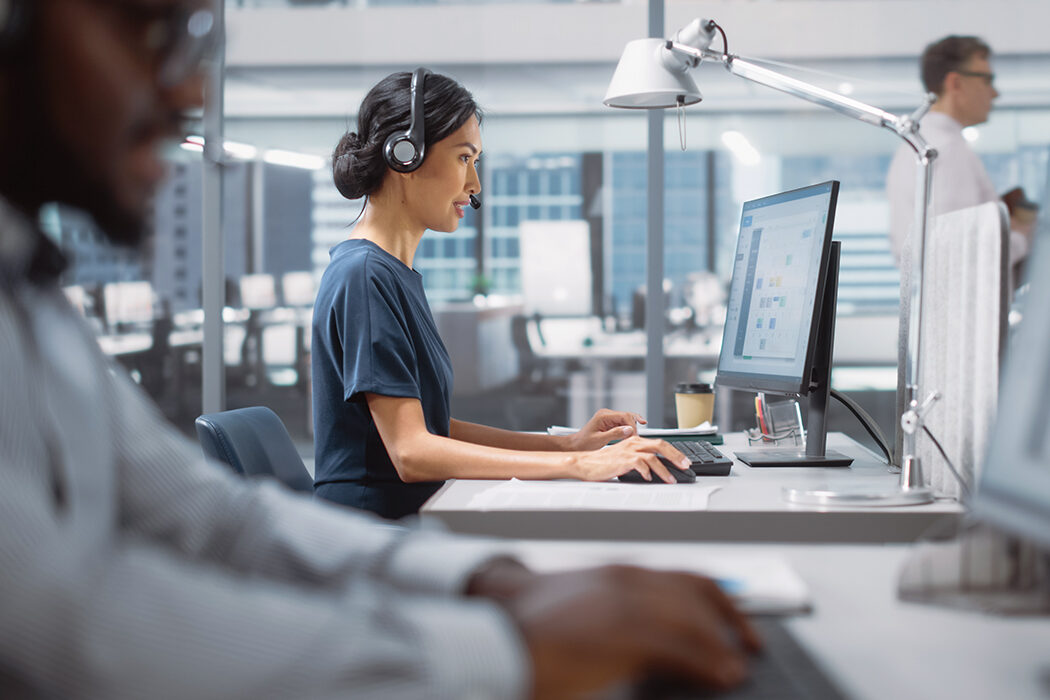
<point x="958" y="71"/>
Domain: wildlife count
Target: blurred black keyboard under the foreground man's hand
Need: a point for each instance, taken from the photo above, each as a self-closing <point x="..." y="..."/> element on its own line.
<point x="784" y="671"/>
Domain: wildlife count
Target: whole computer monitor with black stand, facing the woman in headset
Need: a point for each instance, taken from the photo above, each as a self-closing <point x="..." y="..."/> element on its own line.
<point x="781" y="315"/>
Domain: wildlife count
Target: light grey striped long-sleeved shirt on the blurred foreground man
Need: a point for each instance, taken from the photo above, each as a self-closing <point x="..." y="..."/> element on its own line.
<point x="133" y="568"/>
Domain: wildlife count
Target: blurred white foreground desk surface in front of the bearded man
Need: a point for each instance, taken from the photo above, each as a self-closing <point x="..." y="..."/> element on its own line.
<point x="873" y="646"/>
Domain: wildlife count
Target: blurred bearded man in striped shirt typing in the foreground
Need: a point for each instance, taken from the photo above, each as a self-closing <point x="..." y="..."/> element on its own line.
<point x="133" y="568"/>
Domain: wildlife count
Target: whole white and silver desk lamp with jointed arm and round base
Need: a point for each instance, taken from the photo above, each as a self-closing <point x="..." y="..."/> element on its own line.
<point x="654" y="74"/>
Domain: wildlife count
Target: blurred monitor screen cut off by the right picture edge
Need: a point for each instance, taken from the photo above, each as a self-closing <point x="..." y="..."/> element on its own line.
<point x="1015" y="485"/>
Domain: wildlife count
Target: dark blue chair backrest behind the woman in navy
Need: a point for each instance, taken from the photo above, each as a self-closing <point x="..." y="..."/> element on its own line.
<point x="254" y="442"/>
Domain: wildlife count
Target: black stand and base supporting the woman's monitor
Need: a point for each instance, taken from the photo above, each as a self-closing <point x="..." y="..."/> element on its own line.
<point x="815" y="454"/>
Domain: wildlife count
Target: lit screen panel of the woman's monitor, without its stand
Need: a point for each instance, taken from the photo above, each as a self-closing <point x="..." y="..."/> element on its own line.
<point x="774" y="300"/>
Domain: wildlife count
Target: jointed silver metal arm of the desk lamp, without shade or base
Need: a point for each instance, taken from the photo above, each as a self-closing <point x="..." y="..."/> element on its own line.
<point x="907" y="129"/>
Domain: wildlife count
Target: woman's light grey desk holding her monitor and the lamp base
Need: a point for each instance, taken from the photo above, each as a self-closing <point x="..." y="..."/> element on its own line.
<point x="749" y="507"/>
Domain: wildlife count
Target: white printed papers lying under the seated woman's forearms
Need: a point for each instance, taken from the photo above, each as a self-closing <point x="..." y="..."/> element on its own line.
<point x="517" y="495"/>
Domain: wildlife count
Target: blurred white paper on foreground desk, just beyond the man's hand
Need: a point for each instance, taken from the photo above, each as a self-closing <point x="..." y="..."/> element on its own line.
<point x="762" y="585"/>
